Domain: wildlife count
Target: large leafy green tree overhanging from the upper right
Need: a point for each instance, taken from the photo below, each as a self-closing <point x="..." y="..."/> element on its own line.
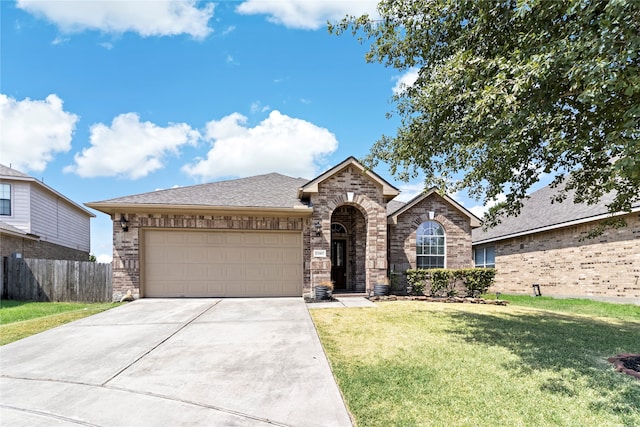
<point x="509" y="90"/>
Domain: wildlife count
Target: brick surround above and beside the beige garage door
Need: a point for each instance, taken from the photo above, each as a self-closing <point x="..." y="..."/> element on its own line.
<point x="126" y="254"/>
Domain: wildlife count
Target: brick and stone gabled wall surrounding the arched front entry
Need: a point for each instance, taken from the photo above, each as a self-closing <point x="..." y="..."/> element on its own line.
<point x="369" y="200"/>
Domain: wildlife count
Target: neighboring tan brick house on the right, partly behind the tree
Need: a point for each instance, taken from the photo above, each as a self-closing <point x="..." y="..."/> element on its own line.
<point x="546" y="245"/>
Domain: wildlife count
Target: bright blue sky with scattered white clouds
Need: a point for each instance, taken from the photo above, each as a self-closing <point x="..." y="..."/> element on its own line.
<point x="103" y="99"/>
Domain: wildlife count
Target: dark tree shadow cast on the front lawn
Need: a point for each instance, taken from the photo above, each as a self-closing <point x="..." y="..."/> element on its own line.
<point x="575" y="347"/>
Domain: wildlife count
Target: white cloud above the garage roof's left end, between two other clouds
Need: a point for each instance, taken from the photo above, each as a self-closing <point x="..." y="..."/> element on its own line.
<point x="129" y="147"/>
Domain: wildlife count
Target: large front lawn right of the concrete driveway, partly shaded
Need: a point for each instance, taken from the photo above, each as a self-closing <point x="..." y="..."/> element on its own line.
<point x="411" y="363"/>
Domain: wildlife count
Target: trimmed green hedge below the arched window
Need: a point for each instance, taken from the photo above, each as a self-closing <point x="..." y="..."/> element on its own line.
<point x="450" y="282"/>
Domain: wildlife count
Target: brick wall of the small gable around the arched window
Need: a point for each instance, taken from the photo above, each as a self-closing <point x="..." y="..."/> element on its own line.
<point x="402" y="236"/>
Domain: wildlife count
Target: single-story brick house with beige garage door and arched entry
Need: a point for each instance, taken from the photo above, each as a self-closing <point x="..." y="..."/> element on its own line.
<point x="273" y="235"/>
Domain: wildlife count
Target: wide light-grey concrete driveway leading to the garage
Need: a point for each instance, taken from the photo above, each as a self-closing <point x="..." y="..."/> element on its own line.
<point x="160" y="362"/>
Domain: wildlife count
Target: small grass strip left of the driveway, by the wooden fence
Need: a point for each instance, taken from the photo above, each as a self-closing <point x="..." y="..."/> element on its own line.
<point x="20" y="319"/>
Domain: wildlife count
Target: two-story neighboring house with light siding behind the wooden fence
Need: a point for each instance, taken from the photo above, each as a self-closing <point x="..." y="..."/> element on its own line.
<point x="38" y="222"/>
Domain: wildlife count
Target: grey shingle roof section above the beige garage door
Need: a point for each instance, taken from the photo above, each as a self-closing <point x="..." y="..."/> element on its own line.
<point x="268" y="191"/>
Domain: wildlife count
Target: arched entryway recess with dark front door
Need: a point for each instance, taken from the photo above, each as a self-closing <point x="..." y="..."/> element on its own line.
<point x="348" y="249"/>
